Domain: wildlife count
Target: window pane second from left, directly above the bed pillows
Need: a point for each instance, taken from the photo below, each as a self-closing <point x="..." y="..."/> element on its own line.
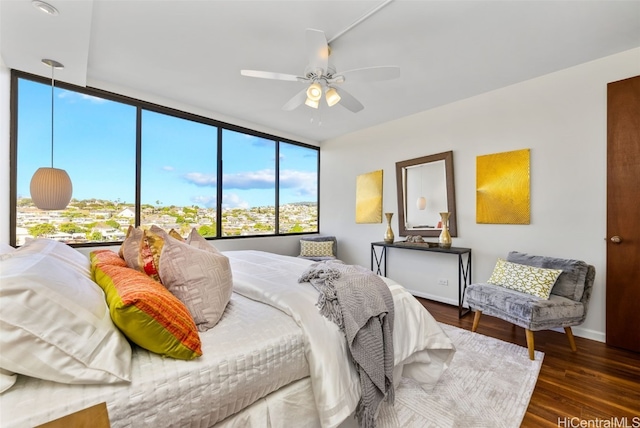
<point x="178" y="174"/>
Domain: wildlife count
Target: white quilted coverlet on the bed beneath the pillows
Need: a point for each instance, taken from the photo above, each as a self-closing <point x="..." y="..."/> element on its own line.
<point x="239" y="365"/>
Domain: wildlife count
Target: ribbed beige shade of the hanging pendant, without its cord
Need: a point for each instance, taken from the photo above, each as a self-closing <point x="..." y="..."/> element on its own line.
<point x="51" y="188"/>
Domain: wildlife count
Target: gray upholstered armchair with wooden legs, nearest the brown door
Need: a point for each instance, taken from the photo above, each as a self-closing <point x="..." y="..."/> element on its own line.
<point x="566" y="306"/>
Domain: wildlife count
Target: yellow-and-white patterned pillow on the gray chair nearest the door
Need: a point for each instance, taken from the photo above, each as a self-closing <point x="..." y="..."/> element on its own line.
<point x="526" y="279"/>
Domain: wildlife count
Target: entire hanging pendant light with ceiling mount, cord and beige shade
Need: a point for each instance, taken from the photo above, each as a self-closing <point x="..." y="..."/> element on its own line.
<point x="51" y="187"/>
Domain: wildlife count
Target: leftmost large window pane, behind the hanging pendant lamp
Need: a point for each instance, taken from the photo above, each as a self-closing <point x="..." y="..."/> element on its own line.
<point x="95" y="142"/>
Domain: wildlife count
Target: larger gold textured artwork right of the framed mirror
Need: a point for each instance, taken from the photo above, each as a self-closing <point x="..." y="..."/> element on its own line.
<point x="502" y="188"/>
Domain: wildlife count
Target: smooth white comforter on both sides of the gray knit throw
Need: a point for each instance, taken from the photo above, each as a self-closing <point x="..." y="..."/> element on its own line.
<point x="422" y="350"/>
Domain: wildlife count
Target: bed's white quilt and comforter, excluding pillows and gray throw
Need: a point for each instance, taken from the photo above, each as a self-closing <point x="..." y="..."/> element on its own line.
<point x="272" y="360"/>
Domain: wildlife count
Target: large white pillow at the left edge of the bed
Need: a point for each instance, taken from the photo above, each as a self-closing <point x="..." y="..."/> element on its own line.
<point x="55" y="323"/>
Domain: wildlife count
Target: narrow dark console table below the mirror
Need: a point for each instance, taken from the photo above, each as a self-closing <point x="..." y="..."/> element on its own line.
<point x="464" y="266"/>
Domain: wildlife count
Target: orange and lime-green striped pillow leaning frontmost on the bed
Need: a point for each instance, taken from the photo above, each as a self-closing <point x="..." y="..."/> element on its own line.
<point x="144" y="310"/>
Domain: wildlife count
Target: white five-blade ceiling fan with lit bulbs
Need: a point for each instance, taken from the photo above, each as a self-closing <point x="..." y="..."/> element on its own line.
<point x="321" y="77"/>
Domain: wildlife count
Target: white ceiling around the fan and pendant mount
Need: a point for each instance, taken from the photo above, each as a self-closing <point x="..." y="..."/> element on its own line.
<point x="192" y="51"/>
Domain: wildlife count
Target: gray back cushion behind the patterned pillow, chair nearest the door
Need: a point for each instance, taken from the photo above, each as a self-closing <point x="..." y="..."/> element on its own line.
<point x="570" y="283"/>
